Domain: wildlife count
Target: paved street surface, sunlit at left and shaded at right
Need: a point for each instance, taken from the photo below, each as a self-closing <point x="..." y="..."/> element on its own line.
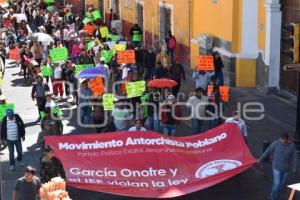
<point x="252" y="184"/>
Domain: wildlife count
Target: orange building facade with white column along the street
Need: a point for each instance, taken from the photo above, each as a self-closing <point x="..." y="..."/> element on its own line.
<point x="247" y="33"/>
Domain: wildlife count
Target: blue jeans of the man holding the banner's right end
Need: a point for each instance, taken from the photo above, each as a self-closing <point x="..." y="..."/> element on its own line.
<point x="279" y="181"/>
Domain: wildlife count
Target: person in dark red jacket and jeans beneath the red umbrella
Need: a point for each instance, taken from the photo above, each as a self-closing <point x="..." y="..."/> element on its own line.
<point x="169" y="116"/>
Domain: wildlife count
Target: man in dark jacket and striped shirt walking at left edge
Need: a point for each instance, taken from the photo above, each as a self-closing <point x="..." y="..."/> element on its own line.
<point x="12" y="131"/>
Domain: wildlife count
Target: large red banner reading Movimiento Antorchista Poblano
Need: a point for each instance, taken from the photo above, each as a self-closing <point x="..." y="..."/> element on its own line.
<point x="147" y="164"/>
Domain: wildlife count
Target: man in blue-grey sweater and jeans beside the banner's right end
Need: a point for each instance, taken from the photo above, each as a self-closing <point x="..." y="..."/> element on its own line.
<point x="284" y="157"/>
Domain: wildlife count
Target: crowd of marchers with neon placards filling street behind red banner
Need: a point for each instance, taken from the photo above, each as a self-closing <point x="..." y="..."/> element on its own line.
<point x="156" y="109"/>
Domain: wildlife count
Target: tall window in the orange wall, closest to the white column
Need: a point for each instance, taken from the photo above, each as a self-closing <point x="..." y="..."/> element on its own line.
<point x="165" y="21"/>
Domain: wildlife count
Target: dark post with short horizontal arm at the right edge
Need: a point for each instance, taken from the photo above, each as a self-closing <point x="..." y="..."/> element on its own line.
<point x="296" y="68"/>
